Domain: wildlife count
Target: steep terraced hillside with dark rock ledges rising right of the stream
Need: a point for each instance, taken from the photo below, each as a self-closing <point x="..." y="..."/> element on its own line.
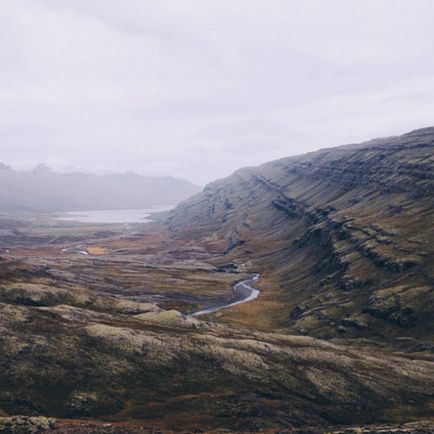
<point x="343" y="238"/>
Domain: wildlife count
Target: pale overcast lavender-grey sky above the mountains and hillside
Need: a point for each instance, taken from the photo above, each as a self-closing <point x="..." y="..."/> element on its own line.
<point x="199" y="88"/>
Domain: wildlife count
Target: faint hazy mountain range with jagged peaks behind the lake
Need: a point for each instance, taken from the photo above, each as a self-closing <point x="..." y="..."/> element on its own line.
<point x="43" y="190"/>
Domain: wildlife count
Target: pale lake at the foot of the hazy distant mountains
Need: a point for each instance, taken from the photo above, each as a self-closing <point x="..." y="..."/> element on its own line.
<point x="113" y="215"/>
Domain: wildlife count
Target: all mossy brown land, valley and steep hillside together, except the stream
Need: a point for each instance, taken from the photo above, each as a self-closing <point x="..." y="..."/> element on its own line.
<point x="340" y="340"/>
